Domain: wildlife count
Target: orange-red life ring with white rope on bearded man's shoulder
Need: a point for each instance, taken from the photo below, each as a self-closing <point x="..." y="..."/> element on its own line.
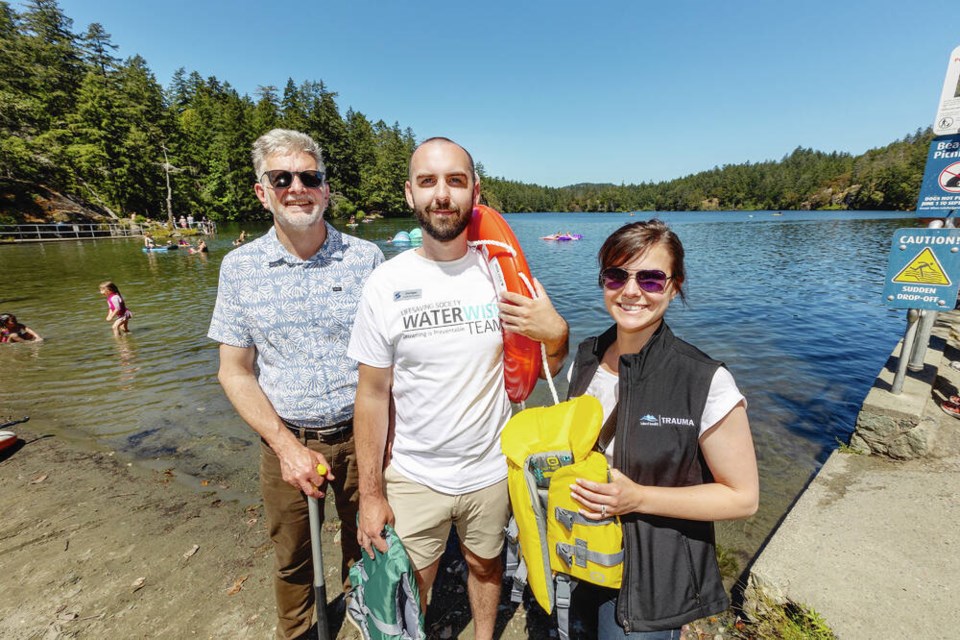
<point x="521" y="355"/>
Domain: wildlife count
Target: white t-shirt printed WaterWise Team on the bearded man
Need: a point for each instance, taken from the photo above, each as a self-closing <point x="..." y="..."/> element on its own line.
<point x="437" y="324"/>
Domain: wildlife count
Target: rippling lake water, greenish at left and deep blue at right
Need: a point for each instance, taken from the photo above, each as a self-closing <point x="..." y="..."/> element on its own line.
<point x="792" y="303"/>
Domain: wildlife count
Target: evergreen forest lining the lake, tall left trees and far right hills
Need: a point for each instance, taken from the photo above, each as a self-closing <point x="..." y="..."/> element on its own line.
<point x="77" y="120"/>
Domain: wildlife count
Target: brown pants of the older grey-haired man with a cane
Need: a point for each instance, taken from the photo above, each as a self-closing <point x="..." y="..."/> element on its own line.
<point x="289" y="528"/>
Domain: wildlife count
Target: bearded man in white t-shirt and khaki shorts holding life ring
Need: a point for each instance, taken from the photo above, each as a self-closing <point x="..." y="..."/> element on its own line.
<point x="428" y="338"/>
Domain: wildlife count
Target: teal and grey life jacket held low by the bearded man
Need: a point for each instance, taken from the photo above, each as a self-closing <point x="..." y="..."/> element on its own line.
<point x="385" y="600"/>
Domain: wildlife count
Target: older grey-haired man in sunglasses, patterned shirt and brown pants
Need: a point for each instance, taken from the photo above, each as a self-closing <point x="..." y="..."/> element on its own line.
<point x="284" y="312"/>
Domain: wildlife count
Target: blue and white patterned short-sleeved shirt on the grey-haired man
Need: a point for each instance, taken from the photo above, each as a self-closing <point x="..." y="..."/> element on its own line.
<point x="298" y="314"/>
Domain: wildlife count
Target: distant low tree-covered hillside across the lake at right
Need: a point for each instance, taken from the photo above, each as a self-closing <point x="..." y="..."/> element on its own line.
<point x="887" y="178"/>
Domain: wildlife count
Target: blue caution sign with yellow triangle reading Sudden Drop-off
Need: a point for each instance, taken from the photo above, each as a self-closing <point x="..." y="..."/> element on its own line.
<point x="923" y="271"/>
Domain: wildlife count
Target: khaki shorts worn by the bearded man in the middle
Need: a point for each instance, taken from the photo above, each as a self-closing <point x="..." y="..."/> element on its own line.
<point x="423" y="518"/>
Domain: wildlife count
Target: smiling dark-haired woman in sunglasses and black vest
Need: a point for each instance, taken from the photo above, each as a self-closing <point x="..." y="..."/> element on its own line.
<point x="681" y="454"/>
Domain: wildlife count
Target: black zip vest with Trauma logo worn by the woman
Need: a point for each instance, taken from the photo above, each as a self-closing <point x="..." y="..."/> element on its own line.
<point x="670" y="569"/>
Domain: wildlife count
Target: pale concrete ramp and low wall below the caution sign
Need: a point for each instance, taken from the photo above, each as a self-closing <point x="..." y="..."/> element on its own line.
<point x="873" y="543"/>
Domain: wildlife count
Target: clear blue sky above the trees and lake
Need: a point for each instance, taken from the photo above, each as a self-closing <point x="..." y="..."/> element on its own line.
<point x="563" y="92"/>
